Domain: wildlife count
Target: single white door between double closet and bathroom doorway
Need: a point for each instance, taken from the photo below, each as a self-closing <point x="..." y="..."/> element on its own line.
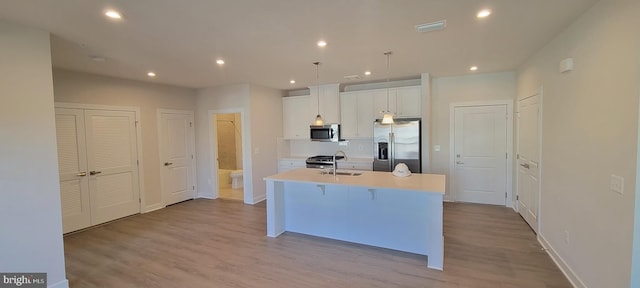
<point x="176" y="150"/>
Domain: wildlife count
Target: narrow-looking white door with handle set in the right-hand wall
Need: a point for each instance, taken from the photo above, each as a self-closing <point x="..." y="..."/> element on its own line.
<point x="528" y="160"/>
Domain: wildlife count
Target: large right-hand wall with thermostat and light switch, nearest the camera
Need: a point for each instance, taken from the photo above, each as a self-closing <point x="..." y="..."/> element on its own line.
<point x="590" y="131"/>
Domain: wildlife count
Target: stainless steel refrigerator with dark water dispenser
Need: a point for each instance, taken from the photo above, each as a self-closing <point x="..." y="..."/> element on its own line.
<point x="395" y="143"/>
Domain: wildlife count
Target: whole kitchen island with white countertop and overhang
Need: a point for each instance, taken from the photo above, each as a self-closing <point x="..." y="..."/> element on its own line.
<point x="374" y="208"/>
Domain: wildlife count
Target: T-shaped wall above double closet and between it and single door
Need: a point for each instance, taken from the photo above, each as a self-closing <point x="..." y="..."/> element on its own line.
<point x="75" y="87"/>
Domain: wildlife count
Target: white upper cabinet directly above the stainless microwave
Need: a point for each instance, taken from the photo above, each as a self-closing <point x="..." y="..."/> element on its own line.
<point x="329" y="102"/>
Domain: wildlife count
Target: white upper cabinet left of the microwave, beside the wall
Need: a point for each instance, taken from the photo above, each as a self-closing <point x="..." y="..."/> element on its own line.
<point x="296" y="117"/>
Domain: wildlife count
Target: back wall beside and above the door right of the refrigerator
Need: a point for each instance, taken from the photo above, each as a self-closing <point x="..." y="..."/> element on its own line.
<point x="470" y="88"/>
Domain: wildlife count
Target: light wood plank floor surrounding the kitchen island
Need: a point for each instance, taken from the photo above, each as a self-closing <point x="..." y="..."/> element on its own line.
<point x="222" y="243"/>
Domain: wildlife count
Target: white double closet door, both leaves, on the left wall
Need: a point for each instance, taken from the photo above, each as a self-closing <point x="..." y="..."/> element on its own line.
<point x="97" y="160"/>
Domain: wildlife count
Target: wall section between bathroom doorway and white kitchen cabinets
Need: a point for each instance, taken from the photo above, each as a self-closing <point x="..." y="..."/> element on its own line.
<point x="266" y="126"/>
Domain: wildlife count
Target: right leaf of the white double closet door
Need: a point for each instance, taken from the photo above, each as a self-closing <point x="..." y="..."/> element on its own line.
<point x="112" y="162"/>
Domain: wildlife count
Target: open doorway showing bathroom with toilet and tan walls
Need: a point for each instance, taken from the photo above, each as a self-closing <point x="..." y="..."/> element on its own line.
<point x="228" y="128"/>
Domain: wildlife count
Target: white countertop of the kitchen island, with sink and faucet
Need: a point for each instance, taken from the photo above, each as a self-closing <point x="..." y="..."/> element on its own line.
<point x="374" y="179"/>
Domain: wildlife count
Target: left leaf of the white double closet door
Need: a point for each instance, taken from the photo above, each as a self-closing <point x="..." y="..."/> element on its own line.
<point x="72" y="165"/>
